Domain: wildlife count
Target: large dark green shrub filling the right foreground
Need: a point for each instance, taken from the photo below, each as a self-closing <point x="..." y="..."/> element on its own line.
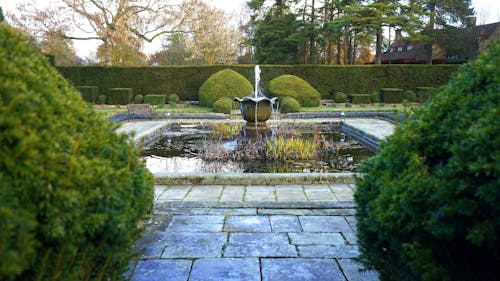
<point x="428" y="205"/>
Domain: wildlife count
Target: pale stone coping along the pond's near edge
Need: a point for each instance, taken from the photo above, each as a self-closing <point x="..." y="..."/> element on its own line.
<point x="253" y="178"/>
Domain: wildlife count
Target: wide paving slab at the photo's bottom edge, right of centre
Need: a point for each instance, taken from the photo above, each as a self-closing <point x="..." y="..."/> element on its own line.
<point x="300" y="270"/>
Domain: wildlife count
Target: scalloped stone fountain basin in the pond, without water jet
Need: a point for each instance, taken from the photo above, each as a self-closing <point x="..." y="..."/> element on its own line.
<point x="256" y="111"/>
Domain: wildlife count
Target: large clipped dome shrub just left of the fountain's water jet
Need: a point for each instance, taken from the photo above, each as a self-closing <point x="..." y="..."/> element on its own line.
<point x="225" y="83"/>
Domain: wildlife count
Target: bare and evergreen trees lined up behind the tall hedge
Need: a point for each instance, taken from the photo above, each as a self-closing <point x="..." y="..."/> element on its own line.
<point x="192" y="32"/>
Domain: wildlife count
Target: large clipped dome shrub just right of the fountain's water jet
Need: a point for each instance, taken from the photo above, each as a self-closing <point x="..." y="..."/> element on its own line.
<point x="294" y="87"/>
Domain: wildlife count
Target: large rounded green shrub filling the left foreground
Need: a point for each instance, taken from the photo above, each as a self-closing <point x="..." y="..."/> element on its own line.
<point x="72" y="191"/>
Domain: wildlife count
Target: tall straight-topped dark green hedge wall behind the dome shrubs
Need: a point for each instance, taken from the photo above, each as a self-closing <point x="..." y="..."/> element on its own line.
<point x="186" y="80"/>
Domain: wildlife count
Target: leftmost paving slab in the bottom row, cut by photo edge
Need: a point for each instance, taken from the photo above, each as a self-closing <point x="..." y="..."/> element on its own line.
<point x="162" y="270"/>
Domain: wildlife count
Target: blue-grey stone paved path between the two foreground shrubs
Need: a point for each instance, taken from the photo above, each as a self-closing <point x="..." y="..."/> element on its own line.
<point x="186" y="240"/>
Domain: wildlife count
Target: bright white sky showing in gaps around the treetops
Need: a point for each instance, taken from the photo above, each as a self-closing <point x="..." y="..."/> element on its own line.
<point x="487" y="11"/>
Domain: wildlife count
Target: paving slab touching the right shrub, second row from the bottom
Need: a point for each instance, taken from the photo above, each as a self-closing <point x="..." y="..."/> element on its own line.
<point x="328" y="251"/>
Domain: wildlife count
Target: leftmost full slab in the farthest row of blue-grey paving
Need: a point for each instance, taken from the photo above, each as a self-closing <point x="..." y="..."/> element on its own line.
<point x="196" y="223"/>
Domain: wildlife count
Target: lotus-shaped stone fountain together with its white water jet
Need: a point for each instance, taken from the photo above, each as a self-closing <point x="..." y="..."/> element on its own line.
<point x="256" y="109"/>
